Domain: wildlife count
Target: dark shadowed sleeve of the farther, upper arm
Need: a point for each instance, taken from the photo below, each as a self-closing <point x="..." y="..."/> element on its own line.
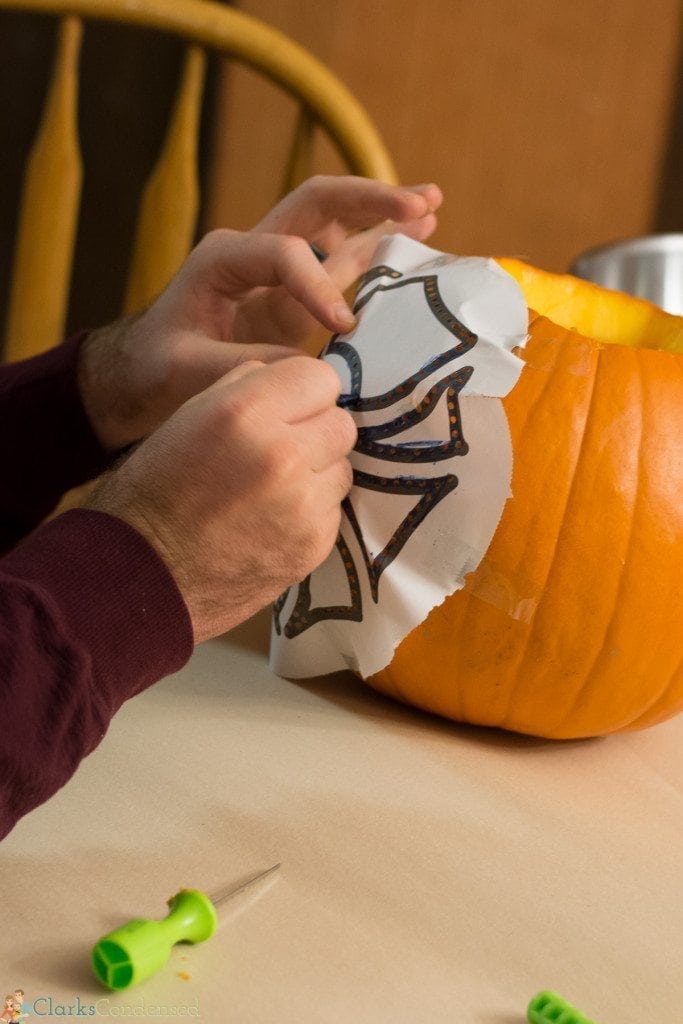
<point x="48" y="445"/>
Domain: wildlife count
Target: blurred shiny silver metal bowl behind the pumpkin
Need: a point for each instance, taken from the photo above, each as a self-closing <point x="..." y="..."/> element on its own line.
<point x="651" y="268"/>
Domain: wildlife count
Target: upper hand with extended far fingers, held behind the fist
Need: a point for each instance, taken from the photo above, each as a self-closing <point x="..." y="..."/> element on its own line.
<point x="264" y="287"/>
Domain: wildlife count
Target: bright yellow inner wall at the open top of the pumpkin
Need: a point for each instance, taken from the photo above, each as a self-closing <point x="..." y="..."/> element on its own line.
<point x="601" y="314"/>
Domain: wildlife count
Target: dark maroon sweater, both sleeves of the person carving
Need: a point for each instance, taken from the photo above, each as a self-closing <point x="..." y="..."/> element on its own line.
<point x="90" y="614"/>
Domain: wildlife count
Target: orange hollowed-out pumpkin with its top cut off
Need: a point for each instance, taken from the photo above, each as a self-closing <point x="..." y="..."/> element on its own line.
<point x="573" y="625"/>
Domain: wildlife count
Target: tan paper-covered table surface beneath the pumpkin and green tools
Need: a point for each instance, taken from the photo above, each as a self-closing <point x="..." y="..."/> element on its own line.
<point x="431" y="872"/>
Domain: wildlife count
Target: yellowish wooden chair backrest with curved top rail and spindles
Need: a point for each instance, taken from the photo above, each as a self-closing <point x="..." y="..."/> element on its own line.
<point x="167" y="219"/>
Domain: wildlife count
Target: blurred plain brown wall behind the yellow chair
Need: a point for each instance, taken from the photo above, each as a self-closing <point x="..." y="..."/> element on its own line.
<point x="545" y="123"/>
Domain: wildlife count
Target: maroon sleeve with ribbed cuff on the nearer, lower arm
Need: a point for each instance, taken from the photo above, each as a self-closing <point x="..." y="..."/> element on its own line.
<point x="90" y="616"/>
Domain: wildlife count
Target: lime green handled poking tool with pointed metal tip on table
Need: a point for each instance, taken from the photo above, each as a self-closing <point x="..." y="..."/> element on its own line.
<point x="139" y="950"/>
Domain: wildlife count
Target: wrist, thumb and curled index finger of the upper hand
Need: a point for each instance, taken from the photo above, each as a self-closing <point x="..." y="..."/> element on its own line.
<point x="134" y="375"/>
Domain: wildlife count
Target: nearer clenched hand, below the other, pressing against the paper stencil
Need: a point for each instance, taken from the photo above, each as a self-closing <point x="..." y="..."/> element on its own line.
<point x="240" y="491"/>
